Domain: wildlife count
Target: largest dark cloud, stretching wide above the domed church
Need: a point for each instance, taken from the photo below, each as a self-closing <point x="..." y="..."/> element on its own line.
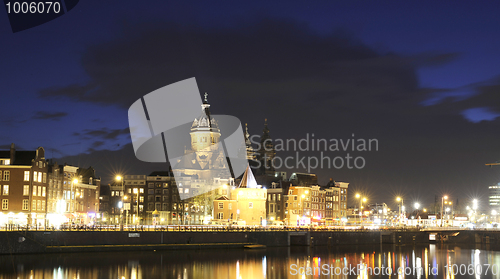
<point x="271" y="58"/>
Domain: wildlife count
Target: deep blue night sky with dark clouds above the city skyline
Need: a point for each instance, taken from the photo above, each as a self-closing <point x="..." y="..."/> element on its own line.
<point x="421" y="77"/>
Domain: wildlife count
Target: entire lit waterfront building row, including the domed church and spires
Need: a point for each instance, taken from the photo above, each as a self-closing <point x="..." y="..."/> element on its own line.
<point x="198" y="189"/>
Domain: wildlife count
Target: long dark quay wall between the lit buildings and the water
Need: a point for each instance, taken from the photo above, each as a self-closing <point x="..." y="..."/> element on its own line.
<point x="211" y="237"/>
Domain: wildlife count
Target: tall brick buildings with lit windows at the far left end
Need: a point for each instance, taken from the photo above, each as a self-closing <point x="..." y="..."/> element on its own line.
<point x="36" y="192"/>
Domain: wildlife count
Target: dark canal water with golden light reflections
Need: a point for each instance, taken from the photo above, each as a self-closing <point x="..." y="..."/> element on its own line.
<point x="430" y="261"/>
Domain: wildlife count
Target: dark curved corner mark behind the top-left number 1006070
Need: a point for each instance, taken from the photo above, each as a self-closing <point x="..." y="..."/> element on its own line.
<point x="25" y="14"/>
